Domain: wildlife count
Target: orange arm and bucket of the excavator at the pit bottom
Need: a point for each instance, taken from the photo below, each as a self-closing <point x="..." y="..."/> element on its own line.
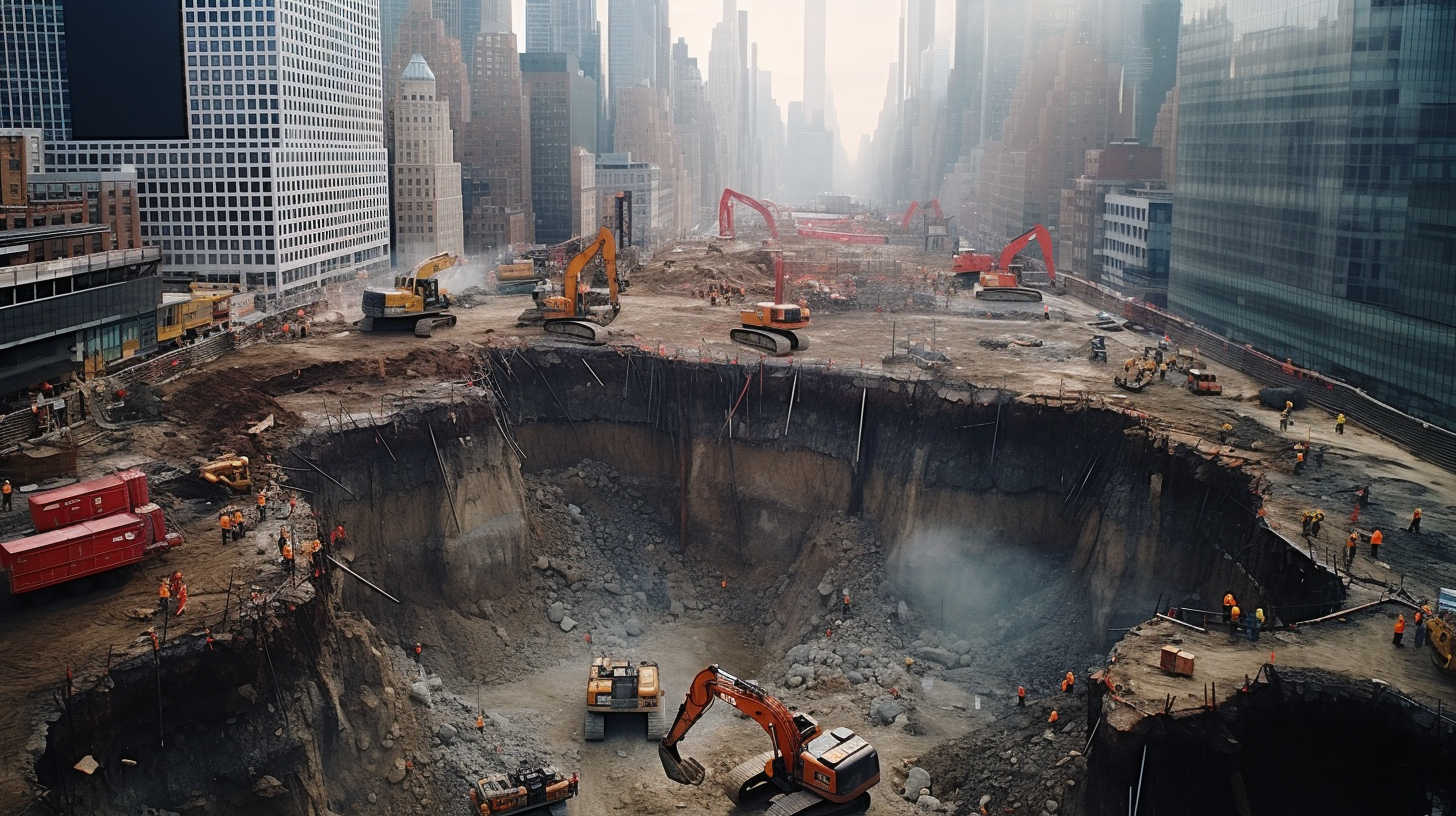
<point x="714" y="684"/>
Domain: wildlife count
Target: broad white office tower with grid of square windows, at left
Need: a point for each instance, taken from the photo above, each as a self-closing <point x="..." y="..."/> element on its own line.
<point x="279" y="177"/>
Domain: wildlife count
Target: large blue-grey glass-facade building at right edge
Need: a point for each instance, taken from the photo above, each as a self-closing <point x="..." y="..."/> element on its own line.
<point x="1317" y="189"/>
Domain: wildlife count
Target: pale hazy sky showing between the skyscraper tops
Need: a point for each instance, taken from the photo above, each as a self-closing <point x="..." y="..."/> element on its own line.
<point x="861" y="46"/>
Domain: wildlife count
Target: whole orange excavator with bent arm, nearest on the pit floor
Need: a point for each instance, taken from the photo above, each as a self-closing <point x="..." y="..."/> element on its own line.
<point x="820" y="773"/>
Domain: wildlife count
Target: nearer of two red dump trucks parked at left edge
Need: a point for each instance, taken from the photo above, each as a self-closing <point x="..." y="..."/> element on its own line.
<point x="78" y="554"/>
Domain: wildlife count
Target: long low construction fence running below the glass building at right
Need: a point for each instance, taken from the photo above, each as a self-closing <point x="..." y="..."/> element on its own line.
<point x="1426" y="441"/>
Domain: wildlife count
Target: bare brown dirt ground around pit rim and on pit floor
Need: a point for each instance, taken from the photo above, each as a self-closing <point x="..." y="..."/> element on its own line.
<point x="339" y="372"/>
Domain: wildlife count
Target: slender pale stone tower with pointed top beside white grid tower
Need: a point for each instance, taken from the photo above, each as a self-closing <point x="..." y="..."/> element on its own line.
<point x="429" y="218"/>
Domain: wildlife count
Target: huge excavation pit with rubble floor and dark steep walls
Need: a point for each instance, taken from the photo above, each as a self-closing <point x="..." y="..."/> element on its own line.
<point x="689" y="514"/>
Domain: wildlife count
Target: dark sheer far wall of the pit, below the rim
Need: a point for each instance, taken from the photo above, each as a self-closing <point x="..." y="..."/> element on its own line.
<point x="941" y="471"/>
